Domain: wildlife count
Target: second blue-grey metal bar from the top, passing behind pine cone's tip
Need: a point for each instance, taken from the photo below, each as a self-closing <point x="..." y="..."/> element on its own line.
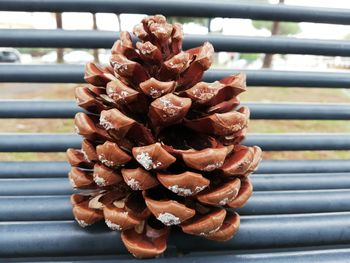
<point x="105" y="39"/>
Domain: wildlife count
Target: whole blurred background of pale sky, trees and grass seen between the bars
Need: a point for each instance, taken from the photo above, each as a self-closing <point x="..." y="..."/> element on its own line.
<point x="225" y="26"/>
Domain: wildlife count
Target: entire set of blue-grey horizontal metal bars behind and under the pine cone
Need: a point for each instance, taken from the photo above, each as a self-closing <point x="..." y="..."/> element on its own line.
<point x="299" y="205"/>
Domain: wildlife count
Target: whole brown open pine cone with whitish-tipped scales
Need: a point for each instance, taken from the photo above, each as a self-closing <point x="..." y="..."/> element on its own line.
<point x="161" y="147"/>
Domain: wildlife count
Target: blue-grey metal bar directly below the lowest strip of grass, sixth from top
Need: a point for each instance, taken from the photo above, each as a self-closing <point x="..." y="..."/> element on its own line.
<point x="269" y="167"/>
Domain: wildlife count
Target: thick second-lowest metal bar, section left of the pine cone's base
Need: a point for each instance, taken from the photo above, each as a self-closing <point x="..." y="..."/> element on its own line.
<point x="57" y="238"/>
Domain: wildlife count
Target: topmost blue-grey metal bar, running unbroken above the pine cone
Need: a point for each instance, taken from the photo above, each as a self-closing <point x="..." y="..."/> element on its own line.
<point x="219" y="8"/>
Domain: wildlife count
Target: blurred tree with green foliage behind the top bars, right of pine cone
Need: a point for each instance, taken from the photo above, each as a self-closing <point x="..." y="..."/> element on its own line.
<point x="276" y="28"/>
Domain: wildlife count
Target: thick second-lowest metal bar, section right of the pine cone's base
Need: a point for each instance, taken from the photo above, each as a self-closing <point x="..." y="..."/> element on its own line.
<point x="278" y="232"/>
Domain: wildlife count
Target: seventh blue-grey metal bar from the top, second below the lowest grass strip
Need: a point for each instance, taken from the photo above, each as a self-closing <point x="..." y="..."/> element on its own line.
<point x="261" y="182"/>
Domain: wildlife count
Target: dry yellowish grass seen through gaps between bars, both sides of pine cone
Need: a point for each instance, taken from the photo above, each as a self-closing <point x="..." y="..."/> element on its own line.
<point x="258" y="94"/>
